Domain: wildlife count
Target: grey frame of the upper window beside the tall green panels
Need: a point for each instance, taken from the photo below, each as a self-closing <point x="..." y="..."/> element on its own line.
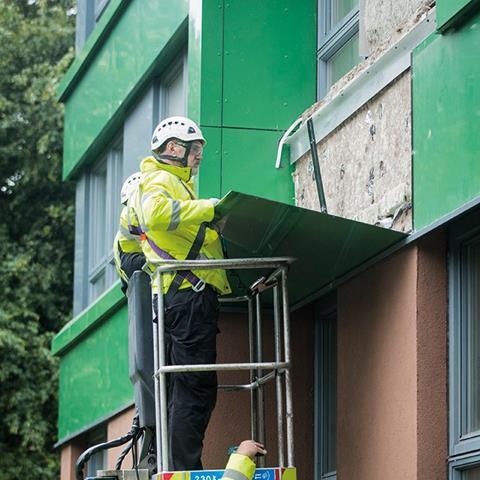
<point x="331" y="38"/>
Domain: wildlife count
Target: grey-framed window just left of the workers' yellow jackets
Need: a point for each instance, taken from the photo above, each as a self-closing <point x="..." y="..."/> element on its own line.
<point x="103" y="210"/>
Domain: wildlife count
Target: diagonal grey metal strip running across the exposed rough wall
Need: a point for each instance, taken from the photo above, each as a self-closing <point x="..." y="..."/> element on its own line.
<point x="365" y="86"/>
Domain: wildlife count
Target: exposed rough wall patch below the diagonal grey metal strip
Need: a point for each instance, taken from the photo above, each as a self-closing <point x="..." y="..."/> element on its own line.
<point x="366" y="163"/>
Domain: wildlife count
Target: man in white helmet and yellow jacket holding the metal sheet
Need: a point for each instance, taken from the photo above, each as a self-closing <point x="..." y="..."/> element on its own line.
<point x="174" y="224"/>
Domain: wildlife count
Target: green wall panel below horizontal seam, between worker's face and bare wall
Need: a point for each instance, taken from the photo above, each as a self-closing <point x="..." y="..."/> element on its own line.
<point x="249" y="165"/>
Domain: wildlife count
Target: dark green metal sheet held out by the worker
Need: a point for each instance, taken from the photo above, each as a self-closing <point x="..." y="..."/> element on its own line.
<point x="326" y="247"/>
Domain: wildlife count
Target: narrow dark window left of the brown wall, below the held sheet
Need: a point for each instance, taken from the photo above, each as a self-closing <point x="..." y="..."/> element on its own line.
<point x="325" y="393"/>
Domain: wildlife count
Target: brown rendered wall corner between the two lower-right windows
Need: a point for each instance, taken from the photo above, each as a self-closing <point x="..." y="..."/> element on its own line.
<point x="392" y="411"/>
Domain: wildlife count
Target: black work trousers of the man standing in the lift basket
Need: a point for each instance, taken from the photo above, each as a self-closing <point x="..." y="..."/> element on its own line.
<point x="190" y="334"/>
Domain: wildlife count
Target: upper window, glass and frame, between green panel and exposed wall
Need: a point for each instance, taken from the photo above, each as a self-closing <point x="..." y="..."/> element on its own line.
<point x="337" y="41"/>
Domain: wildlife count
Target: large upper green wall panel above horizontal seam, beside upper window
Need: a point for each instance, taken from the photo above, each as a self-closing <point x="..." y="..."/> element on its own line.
<point x="269" y="62"/>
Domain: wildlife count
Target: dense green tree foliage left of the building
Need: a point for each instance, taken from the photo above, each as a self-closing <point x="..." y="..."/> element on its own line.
<point x="36" y="231"/>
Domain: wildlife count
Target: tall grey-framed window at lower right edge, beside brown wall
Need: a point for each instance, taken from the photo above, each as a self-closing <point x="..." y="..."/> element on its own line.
<point x="464" y="348"/>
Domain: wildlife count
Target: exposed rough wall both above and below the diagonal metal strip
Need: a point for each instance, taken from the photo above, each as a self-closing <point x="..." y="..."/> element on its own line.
<point x="366" y="161"/>
